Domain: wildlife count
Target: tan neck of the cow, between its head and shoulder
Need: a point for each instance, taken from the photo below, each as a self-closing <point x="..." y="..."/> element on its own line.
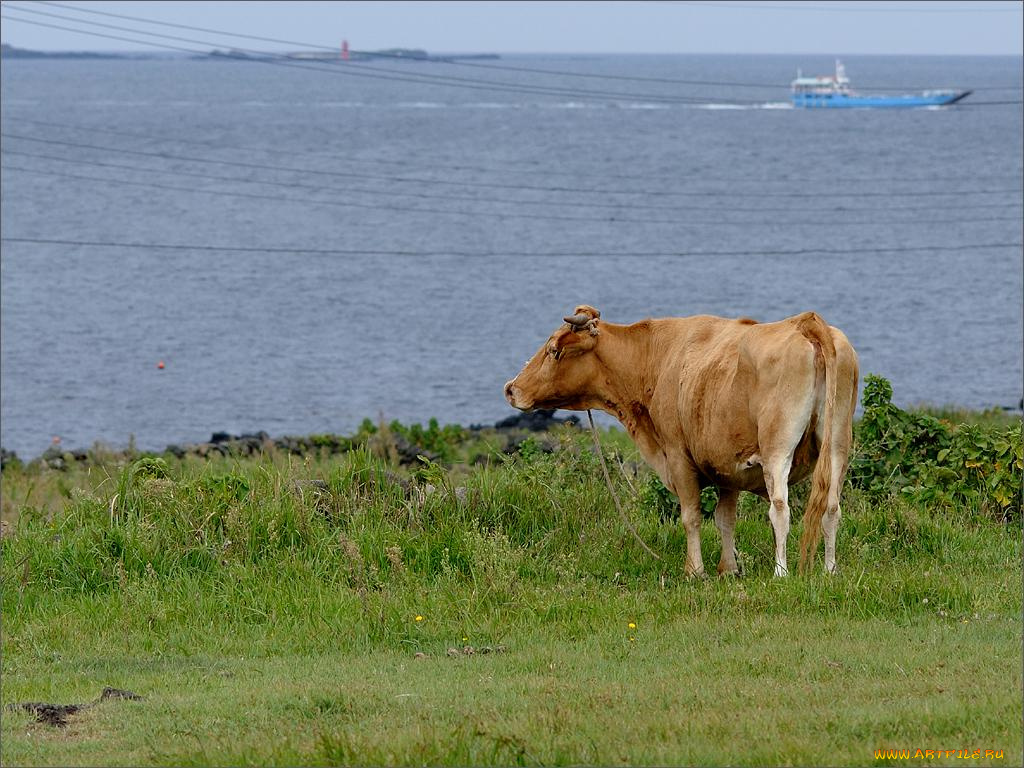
<point x="626" y="389"/>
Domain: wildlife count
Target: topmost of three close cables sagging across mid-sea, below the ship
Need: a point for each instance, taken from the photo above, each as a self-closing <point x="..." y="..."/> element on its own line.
<point x="448" y="183"/>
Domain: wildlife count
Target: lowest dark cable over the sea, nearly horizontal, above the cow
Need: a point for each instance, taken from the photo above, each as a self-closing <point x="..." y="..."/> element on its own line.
<point x="518" y="254"/>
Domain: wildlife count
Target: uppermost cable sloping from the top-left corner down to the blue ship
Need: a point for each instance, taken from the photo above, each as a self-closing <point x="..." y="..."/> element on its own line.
<point x="477" y="65"/>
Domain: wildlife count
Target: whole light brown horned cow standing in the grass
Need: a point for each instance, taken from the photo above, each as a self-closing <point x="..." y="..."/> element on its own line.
<point x="735" y="404"/>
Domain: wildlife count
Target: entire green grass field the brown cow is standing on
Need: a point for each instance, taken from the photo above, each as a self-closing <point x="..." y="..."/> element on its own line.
<point x="321" y="611"/>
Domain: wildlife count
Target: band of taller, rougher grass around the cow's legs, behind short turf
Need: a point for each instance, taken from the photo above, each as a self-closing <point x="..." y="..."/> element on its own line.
<point x="540" y="520"/>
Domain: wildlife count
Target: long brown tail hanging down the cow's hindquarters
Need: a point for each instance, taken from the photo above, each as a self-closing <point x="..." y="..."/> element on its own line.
<point x="816" y="331"/>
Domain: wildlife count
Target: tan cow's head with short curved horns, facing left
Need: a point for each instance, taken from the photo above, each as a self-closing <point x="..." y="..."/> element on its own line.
<point x="564" y="371"/>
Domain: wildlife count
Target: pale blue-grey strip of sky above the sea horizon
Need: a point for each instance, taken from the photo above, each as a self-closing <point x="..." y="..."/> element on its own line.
<point x="536" y="27"/>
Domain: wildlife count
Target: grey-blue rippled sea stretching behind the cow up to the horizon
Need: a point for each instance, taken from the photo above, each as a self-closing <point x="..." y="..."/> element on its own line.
<point x="447" y="231"/>
